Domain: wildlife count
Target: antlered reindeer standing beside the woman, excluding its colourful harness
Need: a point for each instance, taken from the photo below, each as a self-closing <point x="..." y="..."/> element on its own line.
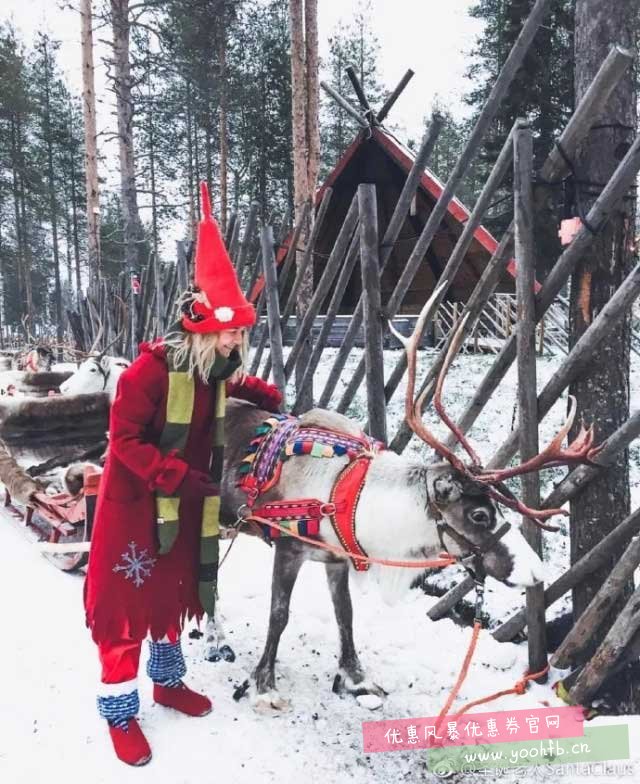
<point x="408" y="510"/>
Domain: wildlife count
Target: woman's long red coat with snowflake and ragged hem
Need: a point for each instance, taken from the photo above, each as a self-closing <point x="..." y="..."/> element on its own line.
<point x="130" y="589"/>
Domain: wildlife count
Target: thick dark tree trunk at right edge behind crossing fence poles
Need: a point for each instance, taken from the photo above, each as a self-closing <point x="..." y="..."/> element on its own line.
<point x="603" y="394"/>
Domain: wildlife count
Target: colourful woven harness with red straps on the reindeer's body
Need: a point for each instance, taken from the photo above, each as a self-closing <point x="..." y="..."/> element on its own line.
<point x="282" y="437"/>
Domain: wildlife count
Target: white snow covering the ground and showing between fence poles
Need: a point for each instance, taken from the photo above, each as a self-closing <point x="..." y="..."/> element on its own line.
<point x="50" y="726"/>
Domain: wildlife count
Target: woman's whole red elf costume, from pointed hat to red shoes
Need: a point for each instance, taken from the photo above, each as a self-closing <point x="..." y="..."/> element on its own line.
<point x="154" y="547"/>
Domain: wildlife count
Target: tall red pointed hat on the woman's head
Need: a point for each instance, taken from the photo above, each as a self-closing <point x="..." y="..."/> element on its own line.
<point x="219" y="303"/>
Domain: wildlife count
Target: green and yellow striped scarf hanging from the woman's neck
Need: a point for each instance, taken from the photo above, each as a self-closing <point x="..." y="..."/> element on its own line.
<point x="180" y="402"/>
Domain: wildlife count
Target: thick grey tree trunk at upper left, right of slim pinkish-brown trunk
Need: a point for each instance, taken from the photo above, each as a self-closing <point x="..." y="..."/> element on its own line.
<point x="122" y="85"/>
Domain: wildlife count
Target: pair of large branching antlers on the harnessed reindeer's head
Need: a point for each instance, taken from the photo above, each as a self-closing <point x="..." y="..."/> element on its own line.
<point x="581" y="449"/>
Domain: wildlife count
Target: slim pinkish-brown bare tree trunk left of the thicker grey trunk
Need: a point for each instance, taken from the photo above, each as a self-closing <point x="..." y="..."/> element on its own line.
<point x="90" y="144"/>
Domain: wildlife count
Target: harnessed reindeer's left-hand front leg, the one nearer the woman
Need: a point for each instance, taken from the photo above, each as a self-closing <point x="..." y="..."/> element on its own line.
<point x="288" y="559"/>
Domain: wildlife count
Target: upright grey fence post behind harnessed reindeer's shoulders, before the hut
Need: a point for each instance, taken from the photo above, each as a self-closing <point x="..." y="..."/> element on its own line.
<point x="370" y="267"/>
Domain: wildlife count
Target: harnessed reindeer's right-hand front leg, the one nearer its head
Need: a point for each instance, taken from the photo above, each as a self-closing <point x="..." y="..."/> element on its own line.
<point x="351" y="676"/>
